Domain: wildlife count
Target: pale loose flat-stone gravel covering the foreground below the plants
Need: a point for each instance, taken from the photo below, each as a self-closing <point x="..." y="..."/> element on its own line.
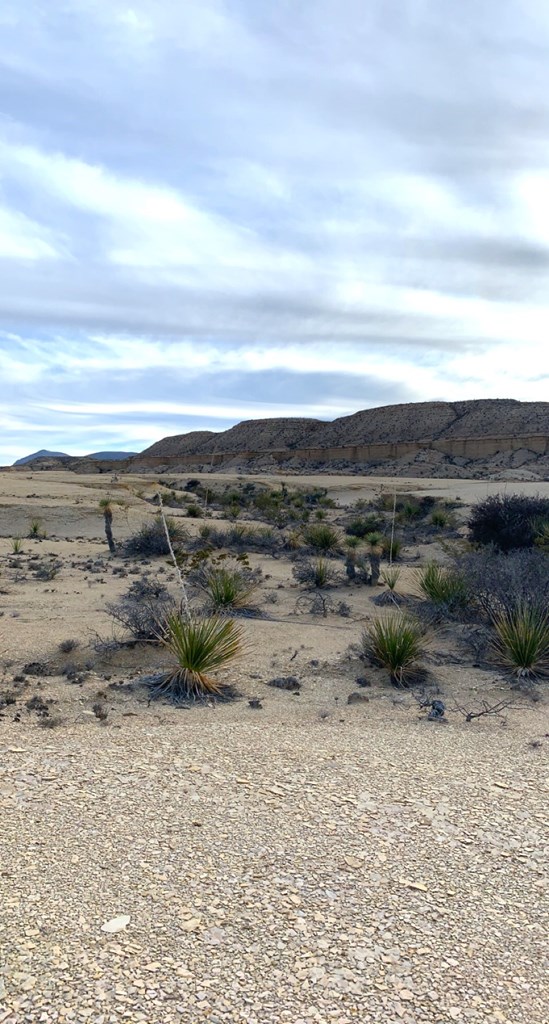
<point x="216" y="869"/>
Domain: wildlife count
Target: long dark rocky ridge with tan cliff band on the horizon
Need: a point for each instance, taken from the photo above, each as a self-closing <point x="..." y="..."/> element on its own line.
<point x="433" y="439"/>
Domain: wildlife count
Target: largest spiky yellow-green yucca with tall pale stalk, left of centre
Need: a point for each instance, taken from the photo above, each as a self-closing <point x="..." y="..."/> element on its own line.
<point x="199" y="647"/>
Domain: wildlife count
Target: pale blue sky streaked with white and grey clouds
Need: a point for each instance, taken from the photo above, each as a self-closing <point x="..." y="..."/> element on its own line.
<point x="215" y="210"/>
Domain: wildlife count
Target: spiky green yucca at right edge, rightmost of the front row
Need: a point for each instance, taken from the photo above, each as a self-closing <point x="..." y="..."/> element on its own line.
<point x="522" y="641"/>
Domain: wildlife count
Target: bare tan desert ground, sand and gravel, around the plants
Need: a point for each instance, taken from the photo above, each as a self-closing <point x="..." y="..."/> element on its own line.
<point x="312" y="861"/>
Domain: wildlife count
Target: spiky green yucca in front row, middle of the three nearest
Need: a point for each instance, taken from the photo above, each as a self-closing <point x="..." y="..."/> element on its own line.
<point x="397" y="644"/>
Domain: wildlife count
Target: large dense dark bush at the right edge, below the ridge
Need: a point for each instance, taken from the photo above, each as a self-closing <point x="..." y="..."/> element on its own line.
<point x="509" y="522"/>
